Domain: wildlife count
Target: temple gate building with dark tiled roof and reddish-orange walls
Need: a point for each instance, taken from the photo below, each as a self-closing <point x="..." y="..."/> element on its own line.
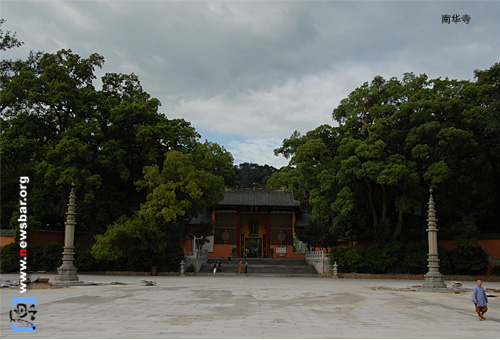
<point x="255" y="223"/>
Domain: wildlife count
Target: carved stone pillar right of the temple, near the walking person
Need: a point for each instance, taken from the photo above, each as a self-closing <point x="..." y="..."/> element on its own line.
<point x="433" y="279"/>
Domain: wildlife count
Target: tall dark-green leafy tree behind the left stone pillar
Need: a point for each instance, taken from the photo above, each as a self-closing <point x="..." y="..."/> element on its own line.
<point x="58" y="128"/>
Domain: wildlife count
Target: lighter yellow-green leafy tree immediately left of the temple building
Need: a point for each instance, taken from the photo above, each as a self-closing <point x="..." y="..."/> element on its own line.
<point x="184" y="187"/>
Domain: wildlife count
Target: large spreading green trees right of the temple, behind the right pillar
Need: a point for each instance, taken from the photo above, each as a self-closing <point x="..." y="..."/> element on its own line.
<point x="394" y="140"/>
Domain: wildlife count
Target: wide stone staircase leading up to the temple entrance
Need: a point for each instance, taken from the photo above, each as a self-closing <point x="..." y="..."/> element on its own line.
<point x="261" y="267"/>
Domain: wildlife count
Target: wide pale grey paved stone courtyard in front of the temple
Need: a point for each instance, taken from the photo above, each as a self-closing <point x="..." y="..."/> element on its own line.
<point x="251" y="307"/>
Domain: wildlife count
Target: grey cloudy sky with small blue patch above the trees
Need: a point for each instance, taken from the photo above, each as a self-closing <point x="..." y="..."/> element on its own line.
<point x="247" y="74"/>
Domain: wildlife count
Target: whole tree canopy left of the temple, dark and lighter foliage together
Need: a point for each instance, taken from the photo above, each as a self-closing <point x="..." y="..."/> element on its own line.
<point x="139" y="176"/>
